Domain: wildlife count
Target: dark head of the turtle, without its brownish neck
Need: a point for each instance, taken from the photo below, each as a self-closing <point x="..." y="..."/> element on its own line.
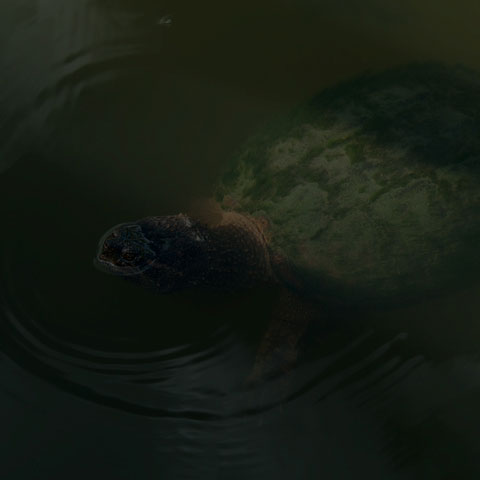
<point x="167" y="253"/>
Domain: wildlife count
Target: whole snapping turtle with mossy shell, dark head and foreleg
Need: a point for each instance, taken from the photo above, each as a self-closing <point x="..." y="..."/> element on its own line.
<point x="369" y="192"/>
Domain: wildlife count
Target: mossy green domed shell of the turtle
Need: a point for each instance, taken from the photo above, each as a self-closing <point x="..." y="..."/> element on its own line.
<point x="372" y="188"/>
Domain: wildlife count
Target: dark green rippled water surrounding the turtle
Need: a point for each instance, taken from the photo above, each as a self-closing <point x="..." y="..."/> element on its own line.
<point x="108" y="116"/>
